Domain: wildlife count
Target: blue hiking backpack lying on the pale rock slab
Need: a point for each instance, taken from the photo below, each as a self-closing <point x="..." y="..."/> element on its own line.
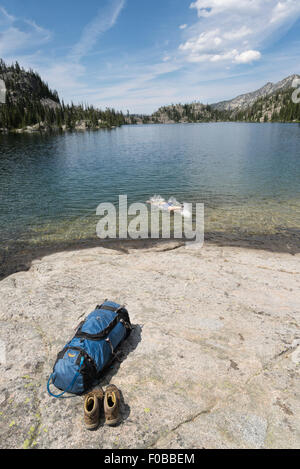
<point x="80" y="364"/>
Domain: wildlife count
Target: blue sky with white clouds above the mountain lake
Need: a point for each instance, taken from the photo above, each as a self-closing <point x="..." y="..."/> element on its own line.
<point x="138" y="55"/>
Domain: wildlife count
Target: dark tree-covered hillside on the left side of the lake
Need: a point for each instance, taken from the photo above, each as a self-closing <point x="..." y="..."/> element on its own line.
<point x="31" y="106"/>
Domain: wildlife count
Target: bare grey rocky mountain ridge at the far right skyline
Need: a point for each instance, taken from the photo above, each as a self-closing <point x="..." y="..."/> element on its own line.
<point x="245" y="101"/>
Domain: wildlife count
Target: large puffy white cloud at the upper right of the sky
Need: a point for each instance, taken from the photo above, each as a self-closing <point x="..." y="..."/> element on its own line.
<point x="236" y="30"/>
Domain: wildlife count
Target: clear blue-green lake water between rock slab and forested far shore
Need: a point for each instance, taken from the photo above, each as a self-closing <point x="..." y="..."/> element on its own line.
<point x="247" y="175"/>
